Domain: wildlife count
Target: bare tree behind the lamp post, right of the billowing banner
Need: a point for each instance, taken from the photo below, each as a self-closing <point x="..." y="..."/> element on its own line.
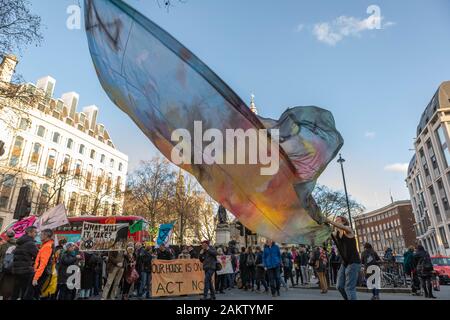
<point x="333" y="203"/>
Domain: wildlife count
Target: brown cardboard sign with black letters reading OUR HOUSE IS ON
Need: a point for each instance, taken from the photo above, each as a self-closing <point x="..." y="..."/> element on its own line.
<point x="177" y="277"/>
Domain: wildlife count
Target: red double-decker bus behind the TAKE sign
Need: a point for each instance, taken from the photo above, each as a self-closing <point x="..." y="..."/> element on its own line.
<point x="72" y="231"/>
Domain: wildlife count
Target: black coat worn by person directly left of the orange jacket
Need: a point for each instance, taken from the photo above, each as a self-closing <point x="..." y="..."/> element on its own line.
<point x="24" y="255"/>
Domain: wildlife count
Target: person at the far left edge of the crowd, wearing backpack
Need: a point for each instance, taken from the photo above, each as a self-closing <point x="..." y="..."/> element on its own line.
<point x="6" y="263"/>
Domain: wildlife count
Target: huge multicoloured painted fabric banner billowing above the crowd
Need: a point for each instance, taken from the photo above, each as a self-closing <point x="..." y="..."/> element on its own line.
<point x="163" y="87"/>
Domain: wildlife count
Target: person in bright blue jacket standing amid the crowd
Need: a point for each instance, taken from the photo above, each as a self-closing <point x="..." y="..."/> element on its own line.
<point x="272" y="264"/>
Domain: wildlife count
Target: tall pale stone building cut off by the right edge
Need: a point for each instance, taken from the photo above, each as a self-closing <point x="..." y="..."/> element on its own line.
<point x="429" y="174"/>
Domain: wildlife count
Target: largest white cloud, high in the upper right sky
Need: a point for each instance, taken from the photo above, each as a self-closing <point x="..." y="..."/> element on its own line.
<point x="335" y="31"/>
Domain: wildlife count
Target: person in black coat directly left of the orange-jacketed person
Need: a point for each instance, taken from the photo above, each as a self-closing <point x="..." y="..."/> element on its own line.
<point x="23" y="264"/>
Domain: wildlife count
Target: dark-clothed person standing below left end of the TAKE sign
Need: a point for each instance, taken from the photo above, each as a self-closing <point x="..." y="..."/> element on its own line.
<point x="69" y="257"/>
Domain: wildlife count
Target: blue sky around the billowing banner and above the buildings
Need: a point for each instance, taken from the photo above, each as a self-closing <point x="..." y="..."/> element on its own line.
<point x="376" y="82"/>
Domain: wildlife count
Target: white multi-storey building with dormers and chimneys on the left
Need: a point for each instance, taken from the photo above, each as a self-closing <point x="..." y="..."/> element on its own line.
<point x="62" y="155"/>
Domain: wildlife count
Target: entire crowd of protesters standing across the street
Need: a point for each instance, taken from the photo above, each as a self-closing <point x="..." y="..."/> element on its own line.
<point x="30" y="272"/>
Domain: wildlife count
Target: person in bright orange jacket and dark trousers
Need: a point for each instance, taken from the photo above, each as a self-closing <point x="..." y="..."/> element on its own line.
<point x="43" y="260"/>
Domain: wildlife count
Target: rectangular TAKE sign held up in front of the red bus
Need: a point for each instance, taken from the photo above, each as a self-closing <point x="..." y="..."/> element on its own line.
<point x="103" y="237"/>
